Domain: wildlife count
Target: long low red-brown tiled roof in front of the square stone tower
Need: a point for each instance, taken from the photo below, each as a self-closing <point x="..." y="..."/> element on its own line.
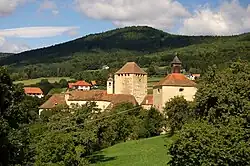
<point x="100" y="95"/>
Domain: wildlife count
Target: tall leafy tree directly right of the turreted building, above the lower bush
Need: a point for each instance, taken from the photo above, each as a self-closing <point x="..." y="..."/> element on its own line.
<point x="223" y="94"/>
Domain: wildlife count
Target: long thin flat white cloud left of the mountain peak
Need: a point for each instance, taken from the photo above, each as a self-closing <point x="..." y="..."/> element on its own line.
<point x="37" y="32"/>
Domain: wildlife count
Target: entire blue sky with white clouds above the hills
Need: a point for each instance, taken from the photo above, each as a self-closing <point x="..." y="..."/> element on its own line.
<point x="31" y="24"/>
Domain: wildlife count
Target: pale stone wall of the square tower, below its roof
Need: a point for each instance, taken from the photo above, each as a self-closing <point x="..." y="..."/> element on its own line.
<point x="134" y="84"/>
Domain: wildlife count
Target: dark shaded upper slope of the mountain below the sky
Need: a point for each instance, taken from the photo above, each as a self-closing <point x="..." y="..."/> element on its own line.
<point x="142" y="39"/>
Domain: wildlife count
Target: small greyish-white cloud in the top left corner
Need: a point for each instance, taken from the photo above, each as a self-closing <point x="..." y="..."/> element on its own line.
<point x="8" y="6"/>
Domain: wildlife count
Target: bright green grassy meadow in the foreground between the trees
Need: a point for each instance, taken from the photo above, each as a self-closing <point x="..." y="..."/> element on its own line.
<point x="144" y="152"/>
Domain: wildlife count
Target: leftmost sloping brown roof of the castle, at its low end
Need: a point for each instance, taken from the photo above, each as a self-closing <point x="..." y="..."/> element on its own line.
<point x="53" y="101"/>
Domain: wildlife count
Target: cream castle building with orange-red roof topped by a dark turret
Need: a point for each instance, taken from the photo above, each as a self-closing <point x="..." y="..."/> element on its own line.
<point x="174" y="84"/>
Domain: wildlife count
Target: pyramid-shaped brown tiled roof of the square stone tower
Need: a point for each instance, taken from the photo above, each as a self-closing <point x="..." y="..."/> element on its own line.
<point x="131" y="68"/>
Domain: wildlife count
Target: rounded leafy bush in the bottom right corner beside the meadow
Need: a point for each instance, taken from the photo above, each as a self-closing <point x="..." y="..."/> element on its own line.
<point x="200" y="143"/>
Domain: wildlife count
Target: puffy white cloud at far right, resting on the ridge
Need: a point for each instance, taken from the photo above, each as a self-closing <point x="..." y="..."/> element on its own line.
<point x="230" y="18"/>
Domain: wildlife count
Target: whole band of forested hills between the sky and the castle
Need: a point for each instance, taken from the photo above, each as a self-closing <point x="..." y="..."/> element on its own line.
<point x="144" y="45"/>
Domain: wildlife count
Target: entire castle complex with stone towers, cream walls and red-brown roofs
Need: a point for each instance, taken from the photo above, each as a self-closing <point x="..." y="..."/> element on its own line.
<point x="129" y="84"/>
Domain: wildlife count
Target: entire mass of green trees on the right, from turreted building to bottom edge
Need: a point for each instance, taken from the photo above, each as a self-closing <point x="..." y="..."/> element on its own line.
<point x="220" y="135"/>
